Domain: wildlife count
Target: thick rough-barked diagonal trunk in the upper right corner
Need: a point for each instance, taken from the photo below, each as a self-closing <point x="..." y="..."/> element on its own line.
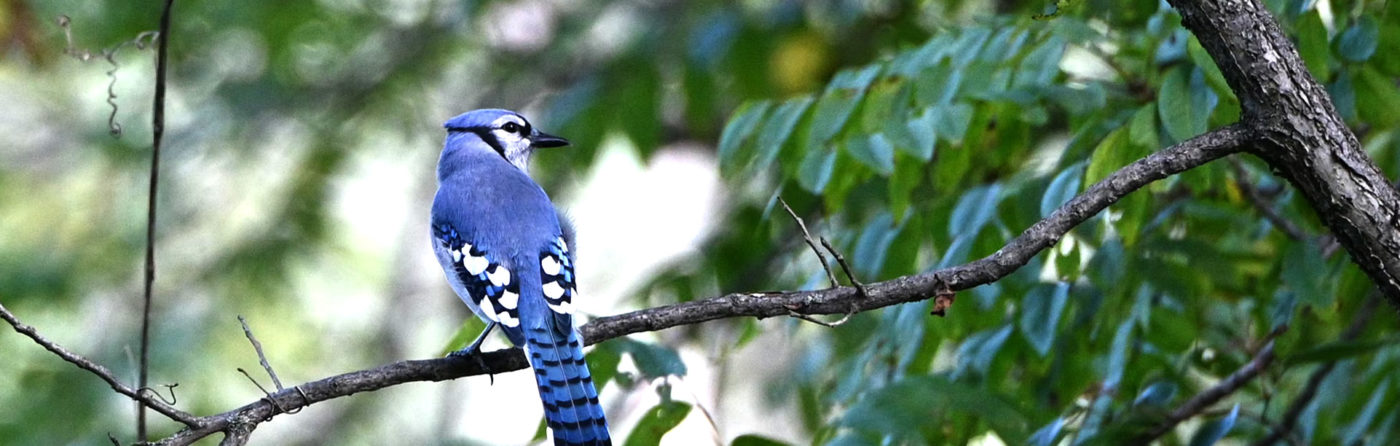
<point x="1297" y="131"/>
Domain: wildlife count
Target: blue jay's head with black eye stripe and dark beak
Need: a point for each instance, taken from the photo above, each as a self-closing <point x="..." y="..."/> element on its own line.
<point x="506" y="132"/>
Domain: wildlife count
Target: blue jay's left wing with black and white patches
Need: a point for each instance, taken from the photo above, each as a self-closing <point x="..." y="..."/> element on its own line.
<point x="481" y="279"/>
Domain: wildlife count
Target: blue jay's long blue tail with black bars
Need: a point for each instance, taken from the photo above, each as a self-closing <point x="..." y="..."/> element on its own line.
<point x="566" y="388"/>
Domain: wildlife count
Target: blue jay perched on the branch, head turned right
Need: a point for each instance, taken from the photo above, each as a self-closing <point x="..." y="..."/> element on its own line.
<point x="505" y="252"/>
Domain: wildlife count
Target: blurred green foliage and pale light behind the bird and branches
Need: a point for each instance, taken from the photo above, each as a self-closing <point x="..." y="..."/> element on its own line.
<point x="299" y="167"/>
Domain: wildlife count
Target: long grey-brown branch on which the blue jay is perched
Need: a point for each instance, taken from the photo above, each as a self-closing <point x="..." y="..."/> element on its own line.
<point x="834" y="301"/>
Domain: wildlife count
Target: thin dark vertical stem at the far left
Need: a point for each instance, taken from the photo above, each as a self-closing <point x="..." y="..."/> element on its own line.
<point x="157" y="132"/>
